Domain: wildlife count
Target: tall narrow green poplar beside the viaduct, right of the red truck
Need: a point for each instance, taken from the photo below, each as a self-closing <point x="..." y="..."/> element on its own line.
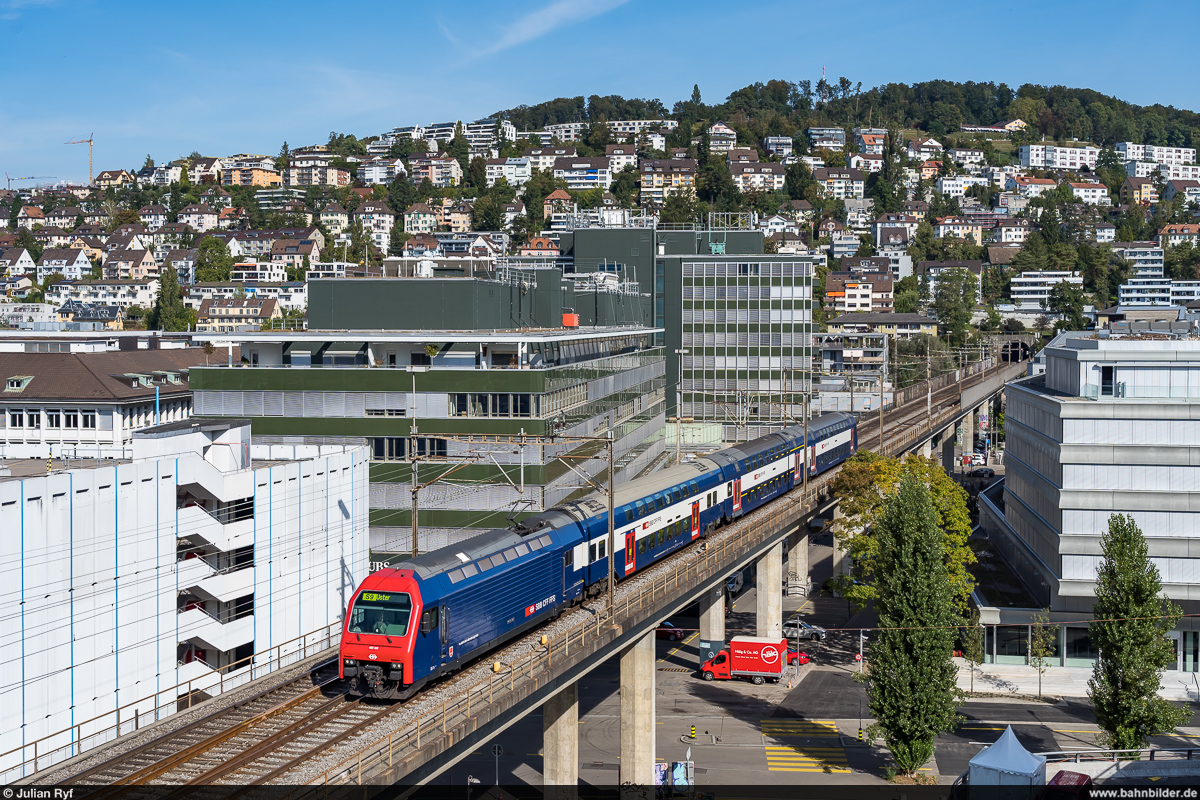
<point x="913" y="689"/>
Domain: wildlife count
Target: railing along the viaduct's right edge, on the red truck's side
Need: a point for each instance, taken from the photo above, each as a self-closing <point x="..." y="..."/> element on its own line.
<point x="461" y="715"/>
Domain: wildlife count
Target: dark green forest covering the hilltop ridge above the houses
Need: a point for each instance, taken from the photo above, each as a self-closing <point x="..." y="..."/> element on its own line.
<point x="784" y="109"/>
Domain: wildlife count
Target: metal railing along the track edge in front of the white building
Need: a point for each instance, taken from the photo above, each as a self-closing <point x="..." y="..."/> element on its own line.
<point x="125" y="719"/>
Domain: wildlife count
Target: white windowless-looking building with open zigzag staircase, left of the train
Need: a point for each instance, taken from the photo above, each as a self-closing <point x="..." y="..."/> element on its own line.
<point x="202" y="552"/>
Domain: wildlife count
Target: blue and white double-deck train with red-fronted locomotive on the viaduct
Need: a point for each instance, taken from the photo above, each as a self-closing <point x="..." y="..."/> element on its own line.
<point x="427" y="618"/>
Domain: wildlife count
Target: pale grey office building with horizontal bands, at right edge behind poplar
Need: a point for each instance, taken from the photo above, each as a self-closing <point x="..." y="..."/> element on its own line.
<point x="1109" y="429"/>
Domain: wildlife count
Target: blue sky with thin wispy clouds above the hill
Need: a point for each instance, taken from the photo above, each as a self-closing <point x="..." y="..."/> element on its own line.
<point x="223" y="77"/>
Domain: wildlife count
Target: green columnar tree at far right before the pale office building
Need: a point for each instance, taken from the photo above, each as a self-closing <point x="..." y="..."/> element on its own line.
<point x="1132" y="618"/>
